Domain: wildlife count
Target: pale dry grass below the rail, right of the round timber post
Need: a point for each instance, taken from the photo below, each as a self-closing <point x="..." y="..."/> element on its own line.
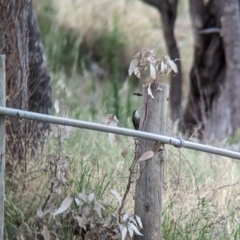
<point x="204" y="192"/>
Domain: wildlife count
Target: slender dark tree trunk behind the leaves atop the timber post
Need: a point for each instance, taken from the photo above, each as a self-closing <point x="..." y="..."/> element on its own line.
<point x="168" y="11"/>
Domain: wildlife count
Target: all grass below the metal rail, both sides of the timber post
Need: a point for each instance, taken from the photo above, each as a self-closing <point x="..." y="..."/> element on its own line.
<point x="200" y="199"/>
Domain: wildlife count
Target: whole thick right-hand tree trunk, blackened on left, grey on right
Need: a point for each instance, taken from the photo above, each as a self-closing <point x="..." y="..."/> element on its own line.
<point x="211" y="104"/>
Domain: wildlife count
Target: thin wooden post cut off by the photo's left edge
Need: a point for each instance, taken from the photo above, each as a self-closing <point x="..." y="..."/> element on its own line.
<point x="2" y="144"/>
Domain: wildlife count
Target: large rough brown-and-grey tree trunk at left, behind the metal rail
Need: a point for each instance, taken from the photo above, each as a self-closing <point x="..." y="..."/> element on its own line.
<point x="27" y="77"/>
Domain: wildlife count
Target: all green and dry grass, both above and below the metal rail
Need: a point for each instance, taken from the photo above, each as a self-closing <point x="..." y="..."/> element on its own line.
<point x="201" y="191"/>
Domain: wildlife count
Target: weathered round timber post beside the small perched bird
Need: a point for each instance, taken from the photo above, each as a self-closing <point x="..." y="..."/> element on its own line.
<point x="148" y="199"/>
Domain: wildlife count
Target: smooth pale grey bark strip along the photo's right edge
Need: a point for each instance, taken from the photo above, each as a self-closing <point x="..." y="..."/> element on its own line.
<point x="230" y="22"/>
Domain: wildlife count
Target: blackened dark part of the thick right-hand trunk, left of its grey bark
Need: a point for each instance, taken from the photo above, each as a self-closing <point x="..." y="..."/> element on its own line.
<point x="208" y="72"/>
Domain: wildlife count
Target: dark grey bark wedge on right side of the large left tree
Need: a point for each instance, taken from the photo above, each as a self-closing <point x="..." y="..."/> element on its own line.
<point x="39" y="86"/>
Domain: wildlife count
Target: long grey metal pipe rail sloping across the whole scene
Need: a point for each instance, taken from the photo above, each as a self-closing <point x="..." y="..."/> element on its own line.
<point x="177" y="142"/>
